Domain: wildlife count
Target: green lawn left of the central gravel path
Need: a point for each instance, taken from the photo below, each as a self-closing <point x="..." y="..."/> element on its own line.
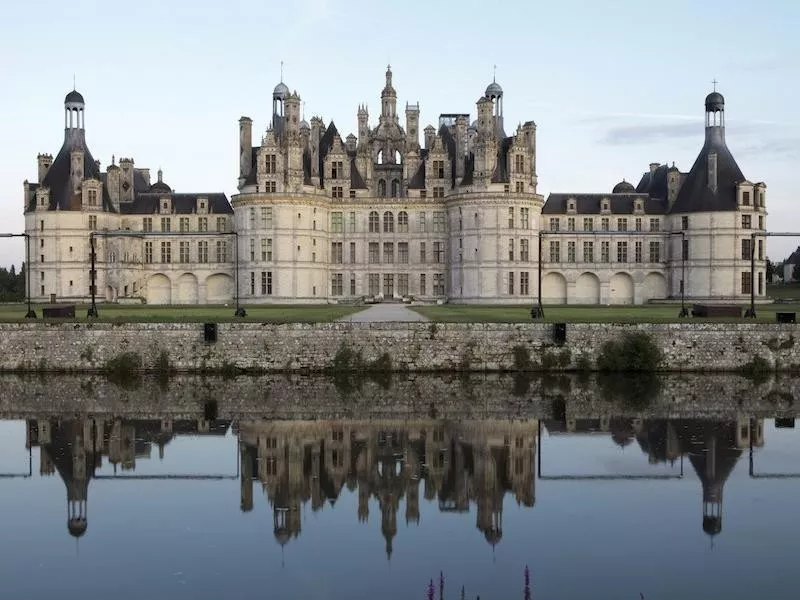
<point x="311" y="313"/>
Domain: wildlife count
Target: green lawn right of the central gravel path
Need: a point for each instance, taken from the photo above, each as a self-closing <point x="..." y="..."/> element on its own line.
<point x="660" y="313"/>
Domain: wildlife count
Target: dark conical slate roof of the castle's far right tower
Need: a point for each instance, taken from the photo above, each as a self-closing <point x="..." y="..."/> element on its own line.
<point x="695" y="195"/>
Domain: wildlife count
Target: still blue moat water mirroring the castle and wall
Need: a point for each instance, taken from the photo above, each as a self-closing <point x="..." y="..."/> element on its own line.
<point x="182" y="496"/>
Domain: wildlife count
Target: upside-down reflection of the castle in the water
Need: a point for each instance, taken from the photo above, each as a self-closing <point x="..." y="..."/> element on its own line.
<point x="458" y="464"/>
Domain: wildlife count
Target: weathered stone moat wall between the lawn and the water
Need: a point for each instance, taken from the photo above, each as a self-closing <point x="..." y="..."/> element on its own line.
<point x="420" y="347"/>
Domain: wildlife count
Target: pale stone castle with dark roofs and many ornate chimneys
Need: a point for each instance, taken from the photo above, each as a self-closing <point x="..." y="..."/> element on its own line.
<point x="321" y="218"/>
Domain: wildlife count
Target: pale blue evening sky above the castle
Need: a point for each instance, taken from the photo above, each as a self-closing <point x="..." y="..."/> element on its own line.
<point x="612" y="86"/>
